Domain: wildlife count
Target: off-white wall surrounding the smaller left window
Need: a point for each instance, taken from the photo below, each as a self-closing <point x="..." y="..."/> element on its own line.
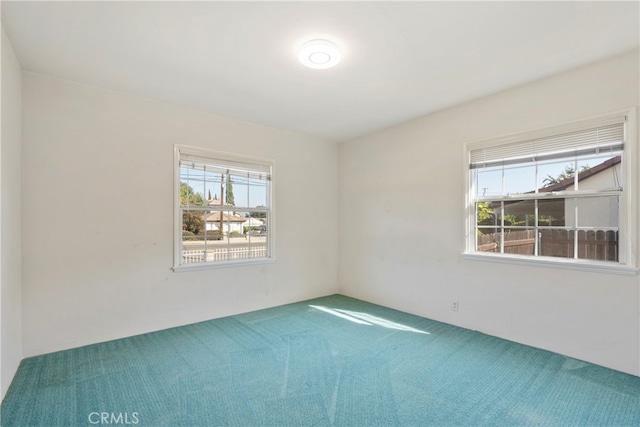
<point x="97" y="217"/>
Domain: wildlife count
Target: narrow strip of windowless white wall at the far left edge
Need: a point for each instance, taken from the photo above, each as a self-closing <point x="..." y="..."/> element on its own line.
<point x="11" y="251"/>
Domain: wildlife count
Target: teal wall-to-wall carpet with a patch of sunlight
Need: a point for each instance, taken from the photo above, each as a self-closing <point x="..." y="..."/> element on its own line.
<point x="329" y="361"/>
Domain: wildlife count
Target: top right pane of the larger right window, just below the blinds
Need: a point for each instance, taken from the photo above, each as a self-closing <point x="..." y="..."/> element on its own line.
<point x="600" y="172"/>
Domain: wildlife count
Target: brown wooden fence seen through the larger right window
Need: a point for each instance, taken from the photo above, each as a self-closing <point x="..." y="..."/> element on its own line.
<point x="599" y="245"/>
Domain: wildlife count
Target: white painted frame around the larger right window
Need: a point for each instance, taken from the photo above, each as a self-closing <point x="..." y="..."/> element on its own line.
<point x="628" y="211"/>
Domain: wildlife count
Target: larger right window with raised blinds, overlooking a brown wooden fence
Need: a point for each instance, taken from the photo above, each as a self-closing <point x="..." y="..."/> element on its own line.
<point x="552" y="195"/>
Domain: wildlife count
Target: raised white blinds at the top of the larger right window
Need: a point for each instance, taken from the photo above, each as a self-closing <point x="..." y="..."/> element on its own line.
<point x="594" y="137"/>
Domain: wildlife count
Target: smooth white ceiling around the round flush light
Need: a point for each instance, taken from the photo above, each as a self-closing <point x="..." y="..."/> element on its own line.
<point x="401" y="60"/>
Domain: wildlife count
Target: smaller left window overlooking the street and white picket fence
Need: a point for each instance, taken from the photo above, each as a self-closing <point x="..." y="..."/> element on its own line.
<point x="223" y="209"/>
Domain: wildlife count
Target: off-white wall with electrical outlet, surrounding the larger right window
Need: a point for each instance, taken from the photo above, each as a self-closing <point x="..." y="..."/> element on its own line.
<point x="402" y="220"/>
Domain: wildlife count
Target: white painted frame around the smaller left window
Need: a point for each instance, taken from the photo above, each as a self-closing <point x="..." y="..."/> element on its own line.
<point x="221" y="157"/>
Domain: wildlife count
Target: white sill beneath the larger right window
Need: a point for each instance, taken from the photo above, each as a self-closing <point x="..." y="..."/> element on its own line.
<point x="570" y="264"/>
